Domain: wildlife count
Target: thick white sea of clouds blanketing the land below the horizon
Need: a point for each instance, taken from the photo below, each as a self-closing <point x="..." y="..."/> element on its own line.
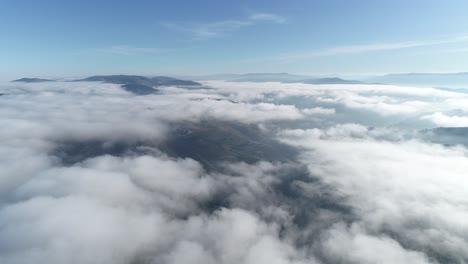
<point x="235" y="172"/>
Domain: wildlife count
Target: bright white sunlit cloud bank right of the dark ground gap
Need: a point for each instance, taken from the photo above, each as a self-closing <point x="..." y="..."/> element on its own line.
<point x="402" y="190"/>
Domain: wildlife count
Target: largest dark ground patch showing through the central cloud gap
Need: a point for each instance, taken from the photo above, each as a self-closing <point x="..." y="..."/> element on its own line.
<point x="208" y="142"/>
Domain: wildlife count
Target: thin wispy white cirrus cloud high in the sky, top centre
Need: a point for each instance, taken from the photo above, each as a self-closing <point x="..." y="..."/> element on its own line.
<point x="223" y="27"/>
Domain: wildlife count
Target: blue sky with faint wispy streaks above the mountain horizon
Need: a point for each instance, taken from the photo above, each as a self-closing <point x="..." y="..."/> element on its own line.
<point x="77" y="38"/>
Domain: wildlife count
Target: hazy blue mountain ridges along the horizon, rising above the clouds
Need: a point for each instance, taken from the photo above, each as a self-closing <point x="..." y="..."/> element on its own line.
<point x="144" y="85"/>
